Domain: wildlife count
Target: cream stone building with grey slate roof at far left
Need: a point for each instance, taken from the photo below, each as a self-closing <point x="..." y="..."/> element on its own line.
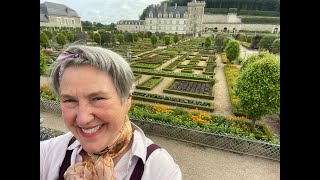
<point x="58" y="15"/>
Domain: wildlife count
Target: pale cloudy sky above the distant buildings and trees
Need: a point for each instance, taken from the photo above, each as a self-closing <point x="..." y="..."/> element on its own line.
<point x="107" y="11"/>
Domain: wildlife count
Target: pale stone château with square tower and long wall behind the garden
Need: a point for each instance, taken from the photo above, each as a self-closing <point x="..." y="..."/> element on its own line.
<point x="190" y="19"/>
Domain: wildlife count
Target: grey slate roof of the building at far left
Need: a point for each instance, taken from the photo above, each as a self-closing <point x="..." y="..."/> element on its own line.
<point x="55" y="9"/>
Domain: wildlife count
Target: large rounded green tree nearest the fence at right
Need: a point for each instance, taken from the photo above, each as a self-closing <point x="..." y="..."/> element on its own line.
<point x="258" y="88"/>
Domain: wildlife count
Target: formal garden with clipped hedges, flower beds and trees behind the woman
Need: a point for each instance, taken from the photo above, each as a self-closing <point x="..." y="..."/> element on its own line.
<point x="175" y="84"/>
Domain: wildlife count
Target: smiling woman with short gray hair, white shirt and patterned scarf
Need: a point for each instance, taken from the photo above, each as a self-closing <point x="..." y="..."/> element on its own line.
<point x="95" y="87"/>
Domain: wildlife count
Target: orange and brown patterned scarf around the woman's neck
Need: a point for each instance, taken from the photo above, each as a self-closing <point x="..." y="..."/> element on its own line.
<point x="100" y="165"/>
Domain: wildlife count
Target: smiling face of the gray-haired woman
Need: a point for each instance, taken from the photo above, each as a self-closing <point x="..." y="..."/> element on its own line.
<point x="91" y="108"/>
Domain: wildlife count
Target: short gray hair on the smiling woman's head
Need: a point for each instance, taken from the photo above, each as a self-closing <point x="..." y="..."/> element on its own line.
<point x="101" y="58"/>
